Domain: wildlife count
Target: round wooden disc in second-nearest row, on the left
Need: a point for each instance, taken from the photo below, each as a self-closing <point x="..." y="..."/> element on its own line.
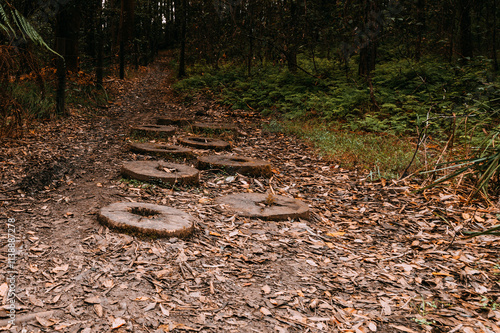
<point x="160" y="172"/>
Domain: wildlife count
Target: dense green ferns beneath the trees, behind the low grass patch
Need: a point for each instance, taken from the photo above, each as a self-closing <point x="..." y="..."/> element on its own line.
<point x="405" y="91"/>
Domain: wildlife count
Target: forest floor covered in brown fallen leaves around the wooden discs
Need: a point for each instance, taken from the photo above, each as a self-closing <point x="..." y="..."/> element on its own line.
<point x="372" y="257"/>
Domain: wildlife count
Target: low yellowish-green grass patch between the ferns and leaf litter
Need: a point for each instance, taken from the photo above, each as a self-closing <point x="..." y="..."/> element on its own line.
<point x="382" y="156"/>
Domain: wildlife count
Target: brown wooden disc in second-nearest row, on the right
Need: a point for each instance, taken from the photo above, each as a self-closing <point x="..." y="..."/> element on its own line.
<point x="233" y="164"/>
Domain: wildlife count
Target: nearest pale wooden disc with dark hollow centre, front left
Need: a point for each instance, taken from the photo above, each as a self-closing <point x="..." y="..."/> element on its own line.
<point x="147" y="219"/>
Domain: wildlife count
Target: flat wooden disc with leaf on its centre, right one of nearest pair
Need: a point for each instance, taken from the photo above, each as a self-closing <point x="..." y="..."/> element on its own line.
<point x="265" y="206"/>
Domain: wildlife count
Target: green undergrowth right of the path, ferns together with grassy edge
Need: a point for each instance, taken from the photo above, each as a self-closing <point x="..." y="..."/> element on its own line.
<point x="454" y="105"/>
